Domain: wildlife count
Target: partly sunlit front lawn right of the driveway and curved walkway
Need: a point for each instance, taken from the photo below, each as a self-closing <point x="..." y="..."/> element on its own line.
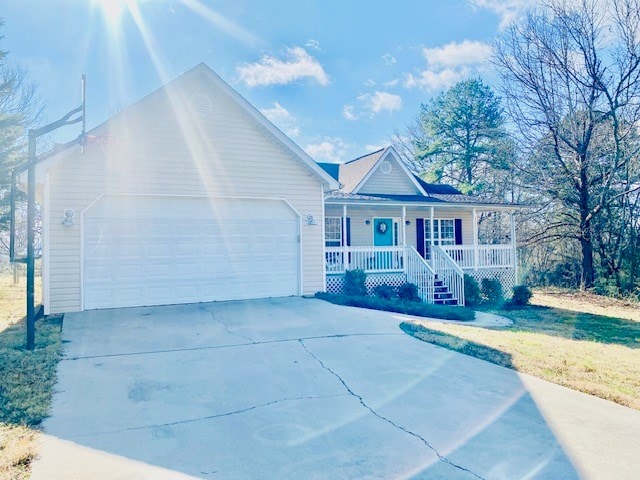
<point x="595" y="354"/>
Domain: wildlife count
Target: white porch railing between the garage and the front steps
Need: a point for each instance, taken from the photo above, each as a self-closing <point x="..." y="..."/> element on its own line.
<point x="370" y="259"/>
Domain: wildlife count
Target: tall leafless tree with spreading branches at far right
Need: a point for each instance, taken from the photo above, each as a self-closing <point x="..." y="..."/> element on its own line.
<point x="571" y="80"/>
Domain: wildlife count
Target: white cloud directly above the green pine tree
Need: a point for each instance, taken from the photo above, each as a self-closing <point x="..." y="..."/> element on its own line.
<point x="449" y="64"/>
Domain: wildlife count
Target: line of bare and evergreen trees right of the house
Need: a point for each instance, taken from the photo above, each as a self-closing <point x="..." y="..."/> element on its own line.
<point x="561" y="136"/>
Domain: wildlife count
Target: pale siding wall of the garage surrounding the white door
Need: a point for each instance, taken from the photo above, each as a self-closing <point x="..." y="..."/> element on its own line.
<point x="187" y="139"/>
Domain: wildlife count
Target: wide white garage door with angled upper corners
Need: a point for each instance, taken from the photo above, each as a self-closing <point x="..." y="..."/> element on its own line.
<point x="166" y="250"/>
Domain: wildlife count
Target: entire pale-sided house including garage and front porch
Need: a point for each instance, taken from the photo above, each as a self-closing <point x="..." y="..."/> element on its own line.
<point x="192" y="195"/>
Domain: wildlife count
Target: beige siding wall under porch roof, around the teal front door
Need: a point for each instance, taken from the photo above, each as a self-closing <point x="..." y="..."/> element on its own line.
<point x="362" y="234"/>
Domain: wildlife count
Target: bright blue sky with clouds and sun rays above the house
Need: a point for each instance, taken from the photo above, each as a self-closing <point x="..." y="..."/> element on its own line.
<point x="337" y="76"/>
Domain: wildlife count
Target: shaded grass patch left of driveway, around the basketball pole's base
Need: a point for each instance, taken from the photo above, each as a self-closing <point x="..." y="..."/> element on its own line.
<point x="27" y="377"/>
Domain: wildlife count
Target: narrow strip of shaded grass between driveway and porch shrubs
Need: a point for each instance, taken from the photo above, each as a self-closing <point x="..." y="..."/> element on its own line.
<point x="418" y="309"/>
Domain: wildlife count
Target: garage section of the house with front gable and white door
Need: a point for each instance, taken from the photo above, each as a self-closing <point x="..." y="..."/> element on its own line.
<point x="188" y="195"/>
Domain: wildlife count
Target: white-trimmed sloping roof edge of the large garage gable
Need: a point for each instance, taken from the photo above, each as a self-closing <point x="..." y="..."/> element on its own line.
<point x="269" y="128"/>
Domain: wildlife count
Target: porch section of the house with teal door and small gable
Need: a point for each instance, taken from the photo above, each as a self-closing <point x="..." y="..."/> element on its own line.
<point x="398" y="228"/>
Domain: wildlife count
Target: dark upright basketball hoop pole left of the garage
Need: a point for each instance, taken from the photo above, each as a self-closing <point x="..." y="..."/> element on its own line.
<point x="31" y="220"/>
